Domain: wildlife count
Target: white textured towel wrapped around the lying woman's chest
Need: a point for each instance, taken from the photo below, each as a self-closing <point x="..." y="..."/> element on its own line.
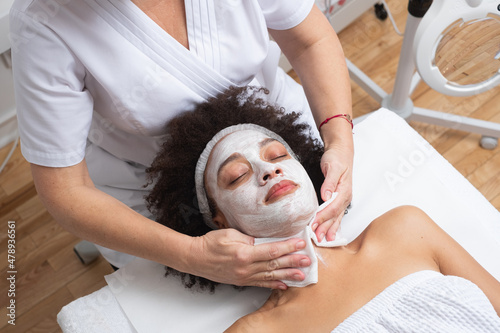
<point x="425" y="301"/>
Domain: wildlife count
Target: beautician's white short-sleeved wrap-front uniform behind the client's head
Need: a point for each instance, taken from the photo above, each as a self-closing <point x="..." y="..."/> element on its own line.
<point x="98" y="79"/>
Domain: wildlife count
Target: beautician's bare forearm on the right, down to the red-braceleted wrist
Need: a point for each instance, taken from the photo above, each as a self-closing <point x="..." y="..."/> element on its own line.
<point x="316" y="55"/>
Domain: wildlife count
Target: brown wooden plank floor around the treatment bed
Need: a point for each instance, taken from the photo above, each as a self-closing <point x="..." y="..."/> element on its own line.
<point x="48" y="273"/>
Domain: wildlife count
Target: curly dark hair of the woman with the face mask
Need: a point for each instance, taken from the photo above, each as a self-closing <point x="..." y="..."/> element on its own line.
<point x="173" y="197"/>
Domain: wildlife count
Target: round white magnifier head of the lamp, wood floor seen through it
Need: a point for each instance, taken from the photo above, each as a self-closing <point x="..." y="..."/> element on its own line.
<point x="457" y="46"/>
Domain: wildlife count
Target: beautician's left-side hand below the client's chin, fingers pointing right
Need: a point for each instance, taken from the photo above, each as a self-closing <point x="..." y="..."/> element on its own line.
<point x="228" y="256"/>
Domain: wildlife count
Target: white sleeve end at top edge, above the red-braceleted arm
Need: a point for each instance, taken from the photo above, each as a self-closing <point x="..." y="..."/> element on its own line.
<point x="285" y="14"/>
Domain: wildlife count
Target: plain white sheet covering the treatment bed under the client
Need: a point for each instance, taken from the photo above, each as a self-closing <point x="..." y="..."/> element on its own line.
<point x="393" y="166"/>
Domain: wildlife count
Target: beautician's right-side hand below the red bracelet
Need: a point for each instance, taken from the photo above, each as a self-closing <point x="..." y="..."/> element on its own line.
<point x="336" y="165"/>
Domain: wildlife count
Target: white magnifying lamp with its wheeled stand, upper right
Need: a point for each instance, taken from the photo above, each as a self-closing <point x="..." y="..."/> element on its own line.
<point x="455" y="47"/>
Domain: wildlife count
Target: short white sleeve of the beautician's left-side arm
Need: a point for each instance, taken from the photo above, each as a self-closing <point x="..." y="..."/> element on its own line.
<point x="54" y="109"/>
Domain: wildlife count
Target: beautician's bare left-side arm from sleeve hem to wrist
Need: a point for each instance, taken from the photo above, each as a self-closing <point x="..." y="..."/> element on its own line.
<point x="93" y="215"/>
